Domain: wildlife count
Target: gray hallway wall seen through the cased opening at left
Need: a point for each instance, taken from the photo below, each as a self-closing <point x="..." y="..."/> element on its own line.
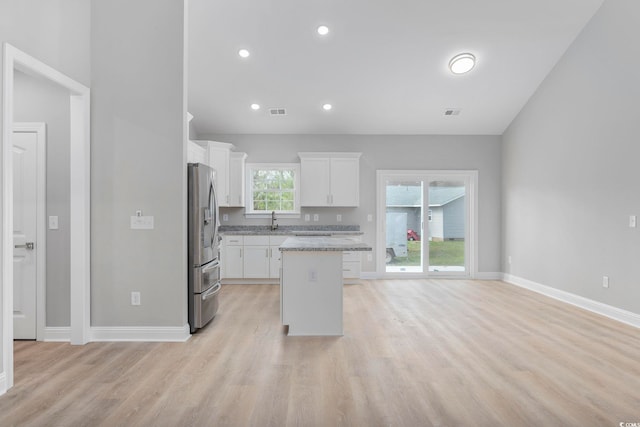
<point x="37" y="100"/>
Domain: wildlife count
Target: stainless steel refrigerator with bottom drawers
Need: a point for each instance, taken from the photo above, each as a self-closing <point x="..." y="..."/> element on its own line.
<point x="204" y="246"/>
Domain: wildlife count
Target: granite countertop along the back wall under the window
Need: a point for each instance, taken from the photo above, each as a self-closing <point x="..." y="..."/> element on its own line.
<point x="286" y="230"/>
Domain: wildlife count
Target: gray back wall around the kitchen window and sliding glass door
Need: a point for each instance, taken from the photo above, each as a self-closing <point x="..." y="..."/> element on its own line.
<point x="480" y="153"/>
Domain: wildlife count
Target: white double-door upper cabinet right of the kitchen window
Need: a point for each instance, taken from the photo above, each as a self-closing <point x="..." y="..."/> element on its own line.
<point x="330" y="179"/>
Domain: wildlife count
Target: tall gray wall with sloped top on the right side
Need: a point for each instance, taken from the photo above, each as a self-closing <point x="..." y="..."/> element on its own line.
<point x="571" y="167"/>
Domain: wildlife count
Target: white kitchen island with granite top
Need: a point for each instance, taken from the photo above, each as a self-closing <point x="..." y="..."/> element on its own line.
<point x="311" y="283"/>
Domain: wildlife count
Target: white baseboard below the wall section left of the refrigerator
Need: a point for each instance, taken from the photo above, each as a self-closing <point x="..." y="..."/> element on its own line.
<point x="145" y="334"/>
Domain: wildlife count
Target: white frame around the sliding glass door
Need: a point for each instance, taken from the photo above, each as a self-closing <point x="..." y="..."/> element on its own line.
<point x="472" y="220"/>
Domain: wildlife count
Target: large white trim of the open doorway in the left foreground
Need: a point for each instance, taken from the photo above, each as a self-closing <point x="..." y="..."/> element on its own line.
<point x="79" y="177"/>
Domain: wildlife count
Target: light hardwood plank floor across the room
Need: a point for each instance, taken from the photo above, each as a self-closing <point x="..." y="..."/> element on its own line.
<point x="414" y="353"/>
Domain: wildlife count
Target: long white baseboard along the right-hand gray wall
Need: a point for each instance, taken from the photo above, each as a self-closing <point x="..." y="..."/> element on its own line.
<point x="609" y="311"/>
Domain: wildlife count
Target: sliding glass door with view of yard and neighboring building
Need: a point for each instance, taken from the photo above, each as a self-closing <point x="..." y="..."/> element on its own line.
<point x="426" y="222"/>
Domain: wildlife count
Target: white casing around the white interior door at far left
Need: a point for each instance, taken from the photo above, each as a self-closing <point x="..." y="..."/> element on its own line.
<point x="41" y="226"/>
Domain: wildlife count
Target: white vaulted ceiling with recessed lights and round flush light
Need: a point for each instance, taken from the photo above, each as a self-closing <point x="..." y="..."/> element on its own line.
<point x="383" y="65"/>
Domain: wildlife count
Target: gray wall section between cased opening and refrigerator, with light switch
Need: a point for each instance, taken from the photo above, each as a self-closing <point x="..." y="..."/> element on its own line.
<point x="138" y="162"/>
